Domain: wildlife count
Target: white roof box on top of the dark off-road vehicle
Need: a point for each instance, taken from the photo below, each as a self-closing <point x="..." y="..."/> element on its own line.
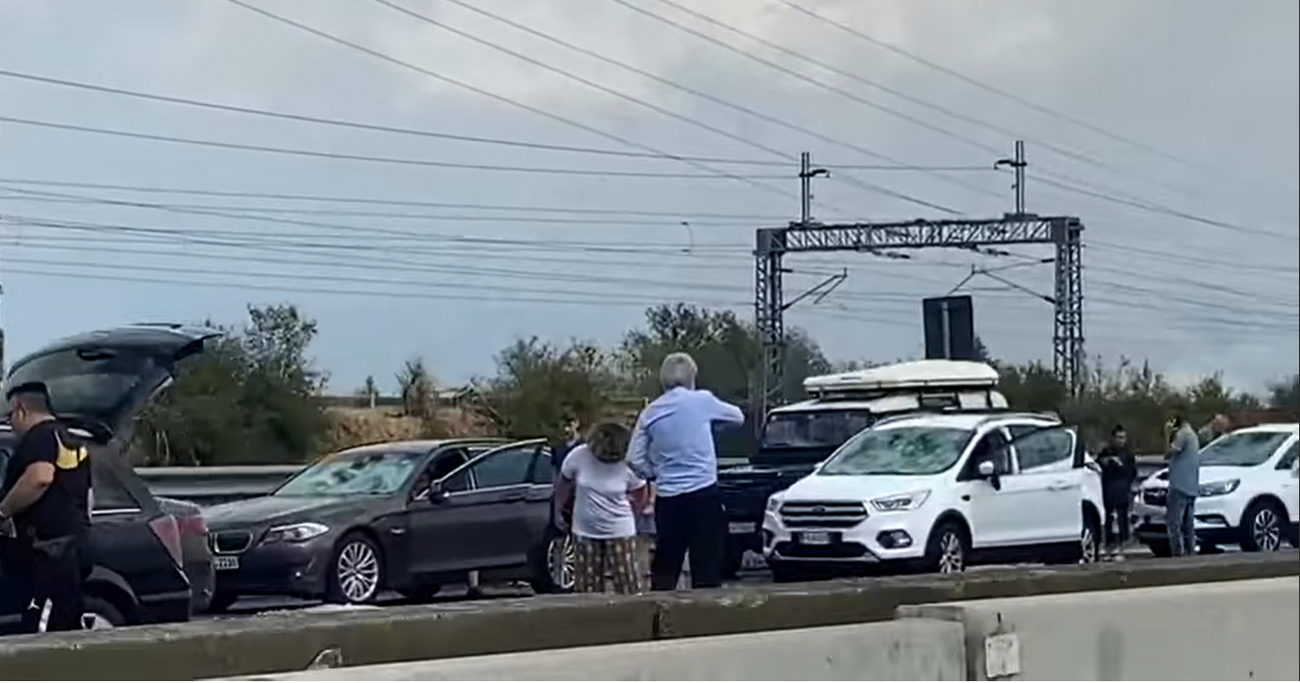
<point x="907" y="377"/>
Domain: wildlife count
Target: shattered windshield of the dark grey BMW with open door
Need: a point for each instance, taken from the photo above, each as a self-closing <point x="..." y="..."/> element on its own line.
<point x="354" y="474"/>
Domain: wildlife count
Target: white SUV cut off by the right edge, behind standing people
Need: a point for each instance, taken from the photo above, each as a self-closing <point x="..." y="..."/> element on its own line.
<point x="1250" y="492"/>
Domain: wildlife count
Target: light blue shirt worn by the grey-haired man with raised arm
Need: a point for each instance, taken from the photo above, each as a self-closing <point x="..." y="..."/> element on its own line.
<point x="673" y="444"/>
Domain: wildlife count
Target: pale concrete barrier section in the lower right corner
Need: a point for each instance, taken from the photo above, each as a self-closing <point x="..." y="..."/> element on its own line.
<point x="1228" y="632"/>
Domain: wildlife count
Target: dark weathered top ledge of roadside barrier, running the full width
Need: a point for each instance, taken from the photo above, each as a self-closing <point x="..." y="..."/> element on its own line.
<point x="292" y="642"/>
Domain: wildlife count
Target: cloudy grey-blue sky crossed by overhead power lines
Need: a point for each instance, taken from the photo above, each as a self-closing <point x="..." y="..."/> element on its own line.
<point x="508" y="168"/>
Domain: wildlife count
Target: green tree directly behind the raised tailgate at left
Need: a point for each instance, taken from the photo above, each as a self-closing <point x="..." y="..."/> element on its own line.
<point x="253" y="399"/>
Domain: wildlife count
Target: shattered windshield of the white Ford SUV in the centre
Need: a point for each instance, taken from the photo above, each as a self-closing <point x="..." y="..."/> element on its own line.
<point x="900" y="451"/>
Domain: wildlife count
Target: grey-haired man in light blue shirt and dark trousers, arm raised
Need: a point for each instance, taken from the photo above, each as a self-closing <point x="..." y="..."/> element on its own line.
<point x="673" y="447"/>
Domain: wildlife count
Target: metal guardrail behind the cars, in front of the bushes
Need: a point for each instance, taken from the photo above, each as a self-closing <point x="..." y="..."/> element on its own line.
<point x="213" y="486"/>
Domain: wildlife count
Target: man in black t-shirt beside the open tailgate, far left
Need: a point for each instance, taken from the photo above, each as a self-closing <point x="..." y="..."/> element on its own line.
<point x="46" y="504"/>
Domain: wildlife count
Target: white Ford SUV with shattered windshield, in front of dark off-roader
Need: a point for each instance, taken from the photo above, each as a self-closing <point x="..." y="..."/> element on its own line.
<point x="941" y="492"/>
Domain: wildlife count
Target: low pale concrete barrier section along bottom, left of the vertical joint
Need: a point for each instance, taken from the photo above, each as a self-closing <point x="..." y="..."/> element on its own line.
<point x="909" y="650"/>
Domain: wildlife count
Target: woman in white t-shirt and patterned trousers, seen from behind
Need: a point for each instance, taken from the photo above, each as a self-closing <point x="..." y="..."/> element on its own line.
<point x="600" y="489"/>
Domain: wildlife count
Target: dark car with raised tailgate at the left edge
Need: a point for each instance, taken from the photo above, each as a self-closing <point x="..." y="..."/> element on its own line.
<point x="99" y="383"/>
